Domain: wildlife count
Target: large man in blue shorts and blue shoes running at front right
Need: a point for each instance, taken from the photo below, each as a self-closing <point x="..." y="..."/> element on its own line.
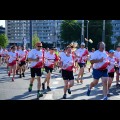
<point x="100" y="63"/>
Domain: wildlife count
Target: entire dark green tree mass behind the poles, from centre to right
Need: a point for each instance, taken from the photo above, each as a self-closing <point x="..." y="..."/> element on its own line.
<point x="71" y="31"/>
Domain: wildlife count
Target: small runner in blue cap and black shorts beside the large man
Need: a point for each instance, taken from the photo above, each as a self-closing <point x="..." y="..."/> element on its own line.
<point x="111" y="68"/>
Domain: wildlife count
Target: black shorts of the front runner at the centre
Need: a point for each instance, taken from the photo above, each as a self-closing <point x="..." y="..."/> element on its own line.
<point x="67" y="75"/>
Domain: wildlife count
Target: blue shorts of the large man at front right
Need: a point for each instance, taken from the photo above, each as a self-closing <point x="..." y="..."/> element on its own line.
<point x="97" y="74"/>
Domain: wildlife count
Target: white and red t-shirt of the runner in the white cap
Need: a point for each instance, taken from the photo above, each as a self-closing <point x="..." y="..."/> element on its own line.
<point x="83" y="54"/>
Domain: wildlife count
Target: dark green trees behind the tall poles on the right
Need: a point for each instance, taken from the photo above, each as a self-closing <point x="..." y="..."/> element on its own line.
<point x="95" y="33"/>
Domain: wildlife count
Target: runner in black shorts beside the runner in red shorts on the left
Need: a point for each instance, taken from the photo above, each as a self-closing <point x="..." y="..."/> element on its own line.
<point x="22" y="54"/>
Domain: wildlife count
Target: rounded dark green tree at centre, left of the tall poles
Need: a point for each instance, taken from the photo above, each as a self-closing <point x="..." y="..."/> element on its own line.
<point x="70" y="31"/>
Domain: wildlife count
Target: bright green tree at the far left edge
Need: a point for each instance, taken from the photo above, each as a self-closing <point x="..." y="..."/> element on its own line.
<point x="4" y="41"/>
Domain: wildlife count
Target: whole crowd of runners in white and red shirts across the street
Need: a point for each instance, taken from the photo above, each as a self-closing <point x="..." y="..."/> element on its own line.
<point x="104" y="65"/>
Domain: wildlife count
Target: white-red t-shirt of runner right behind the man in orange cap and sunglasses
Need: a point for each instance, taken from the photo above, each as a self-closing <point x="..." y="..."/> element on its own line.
<point x="50" y="59"/>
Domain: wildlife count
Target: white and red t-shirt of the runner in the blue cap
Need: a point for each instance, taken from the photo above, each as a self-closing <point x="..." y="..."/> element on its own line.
<point x="112" y="64"/>
